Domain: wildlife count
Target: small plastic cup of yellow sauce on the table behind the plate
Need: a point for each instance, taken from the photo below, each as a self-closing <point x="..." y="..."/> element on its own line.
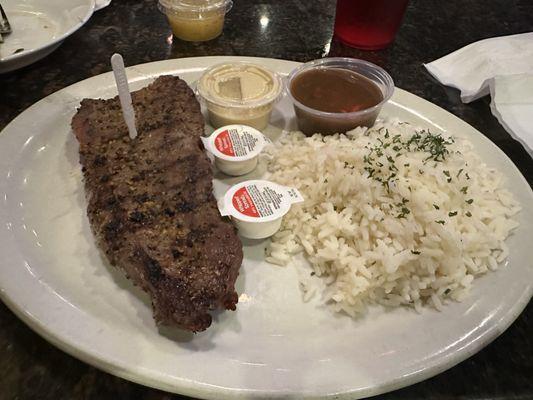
<point x="195" y="20"/>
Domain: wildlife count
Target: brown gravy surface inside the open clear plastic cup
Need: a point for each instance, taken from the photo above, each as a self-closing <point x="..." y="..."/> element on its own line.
<point x="335" y="90"/>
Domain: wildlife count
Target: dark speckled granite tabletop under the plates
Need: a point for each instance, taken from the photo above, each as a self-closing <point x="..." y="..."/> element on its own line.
<point x="301" y="30"/>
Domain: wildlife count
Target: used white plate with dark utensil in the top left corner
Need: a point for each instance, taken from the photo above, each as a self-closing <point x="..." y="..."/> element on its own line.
<point x="39" y="27"/>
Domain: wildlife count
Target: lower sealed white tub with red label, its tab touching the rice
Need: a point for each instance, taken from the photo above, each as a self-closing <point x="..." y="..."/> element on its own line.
<point x="257" y="206"/>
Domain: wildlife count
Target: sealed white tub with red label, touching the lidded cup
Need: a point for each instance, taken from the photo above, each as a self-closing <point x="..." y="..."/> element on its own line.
<point x="236" y="148"/>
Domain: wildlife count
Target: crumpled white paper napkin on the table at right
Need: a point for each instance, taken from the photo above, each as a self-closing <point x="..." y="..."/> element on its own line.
<point x="501" y="66"/>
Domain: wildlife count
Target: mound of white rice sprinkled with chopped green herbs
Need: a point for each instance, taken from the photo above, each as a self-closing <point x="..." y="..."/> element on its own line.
<point x="440" y="224"/>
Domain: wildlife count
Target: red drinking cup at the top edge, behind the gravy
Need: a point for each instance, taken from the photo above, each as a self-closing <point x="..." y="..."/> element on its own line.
<point x="368" y="24"/>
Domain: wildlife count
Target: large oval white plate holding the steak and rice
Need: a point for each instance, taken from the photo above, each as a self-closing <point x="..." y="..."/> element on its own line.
<point x="274" y="346"/>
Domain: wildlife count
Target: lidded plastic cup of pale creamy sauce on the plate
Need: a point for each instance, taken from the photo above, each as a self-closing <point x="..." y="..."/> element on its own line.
<point x="239" y="93"/>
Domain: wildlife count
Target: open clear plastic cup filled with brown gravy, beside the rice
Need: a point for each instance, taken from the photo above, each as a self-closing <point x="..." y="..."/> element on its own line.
<point x="335" y="95"/>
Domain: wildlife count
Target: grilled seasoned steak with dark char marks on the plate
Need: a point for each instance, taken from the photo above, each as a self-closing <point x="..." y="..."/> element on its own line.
<point x="151" y="206"/>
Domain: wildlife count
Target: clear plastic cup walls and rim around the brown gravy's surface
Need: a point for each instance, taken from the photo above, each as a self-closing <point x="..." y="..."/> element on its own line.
<point x="312" y="121"/>
